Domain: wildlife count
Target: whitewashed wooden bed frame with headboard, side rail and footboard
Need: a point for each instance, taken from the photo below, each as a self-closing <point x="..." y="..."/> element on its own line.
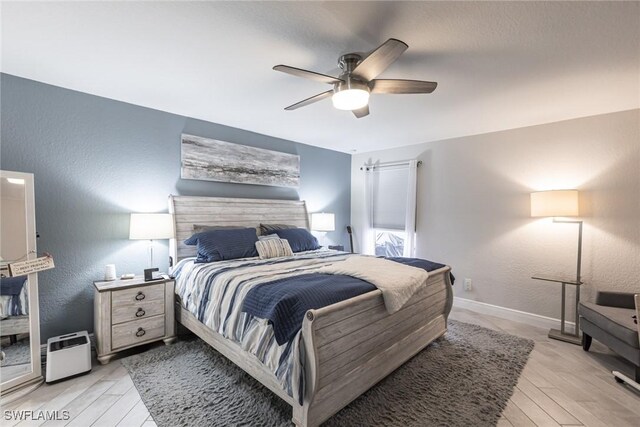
<point x="346" y="347"/>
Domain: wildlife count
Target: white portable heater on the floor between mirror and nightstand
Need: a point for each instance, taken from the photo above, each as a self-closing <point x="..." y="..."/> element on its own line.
<point x="68" y="356"/>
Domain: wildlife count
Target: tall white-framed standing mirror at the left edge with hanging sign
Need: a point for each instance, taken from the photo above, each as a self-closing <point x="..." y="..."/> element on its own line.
<point x="19" y="324"/>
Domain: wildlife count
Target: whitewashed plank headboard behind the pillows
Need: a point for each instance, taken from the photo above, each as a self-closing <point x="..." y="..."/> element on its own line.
<point x="190" y="210"/>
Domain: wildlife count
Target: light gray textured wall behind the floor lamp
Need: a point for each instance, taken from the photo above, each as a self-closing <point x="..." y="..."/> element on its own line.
<point x="474" y="209"/>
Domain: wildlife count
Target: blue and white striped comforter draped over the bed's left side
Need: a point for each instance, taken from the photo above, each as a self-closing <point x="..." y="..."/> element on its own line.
<point x="214" y="292"/>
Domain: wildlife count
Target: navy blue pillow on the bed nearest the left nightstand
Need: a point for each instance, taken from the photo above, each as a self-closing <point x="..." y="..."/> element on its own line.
<point x="218" y="245"/>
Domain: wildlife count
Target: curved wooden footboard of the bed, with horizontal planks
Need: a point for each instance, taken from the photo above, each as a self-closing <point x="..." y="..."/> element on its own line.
<point x="352" y="345"/>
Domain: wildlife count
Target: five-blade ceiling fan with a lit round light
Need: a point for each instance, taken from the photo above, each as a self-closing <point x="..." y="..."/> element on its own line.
<point x="351" y="89"/>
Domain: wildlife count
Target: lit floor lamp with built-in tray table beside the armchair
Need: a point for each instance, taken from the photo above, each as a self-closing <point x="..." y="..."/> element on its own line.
<point x="561" y="203"/>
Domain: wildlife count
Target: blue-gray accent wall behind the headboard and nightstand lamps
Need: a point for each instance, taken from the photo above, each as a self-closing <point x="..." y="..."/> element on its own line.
<point x="95" y="160"/>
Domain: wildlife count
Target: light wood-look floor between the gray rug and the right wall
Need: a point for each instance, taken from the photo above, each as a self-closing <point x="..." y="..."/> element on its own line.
<point x="562" y="384"/>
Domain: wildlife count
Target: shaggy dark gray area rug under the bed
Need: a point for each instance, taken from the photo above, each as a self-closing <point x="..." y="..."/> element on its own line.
<point x="464" y="378"/>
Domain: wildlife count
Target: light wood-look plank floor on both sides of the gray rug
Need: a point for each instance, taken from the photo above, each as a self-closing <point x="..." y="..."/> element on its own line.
<point x="561" y="385"/>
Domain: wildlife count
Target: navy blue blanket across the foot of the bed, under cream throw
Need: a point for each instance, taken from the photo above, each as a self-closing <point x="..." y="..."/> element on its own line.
<point x="284" y="302"/>
